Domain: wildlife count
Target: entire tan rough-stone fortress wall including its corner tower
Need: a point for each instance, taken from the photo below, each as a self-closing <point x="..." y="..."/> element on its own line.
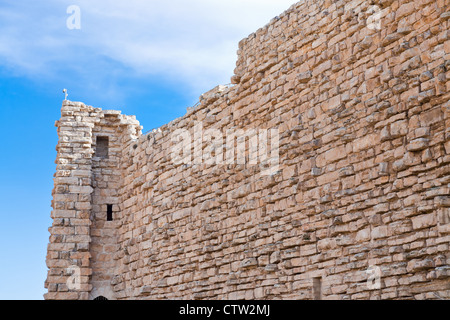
<point x="360" y="205"/>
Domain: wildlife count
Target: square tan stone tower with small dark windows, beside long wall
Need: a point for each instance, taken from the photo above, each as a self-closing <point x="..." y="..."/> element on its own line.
<point x="85" y="201"/>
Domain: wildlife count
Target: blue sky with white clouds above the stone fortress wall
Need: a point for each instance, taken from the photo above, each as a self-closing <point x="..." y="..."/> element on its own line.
<point x="152" y="59"/>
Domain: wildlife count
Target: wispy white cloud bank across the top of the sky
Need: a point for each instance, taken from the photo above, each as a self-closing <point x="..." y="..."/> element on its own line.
<point x="193" y="41"/>
